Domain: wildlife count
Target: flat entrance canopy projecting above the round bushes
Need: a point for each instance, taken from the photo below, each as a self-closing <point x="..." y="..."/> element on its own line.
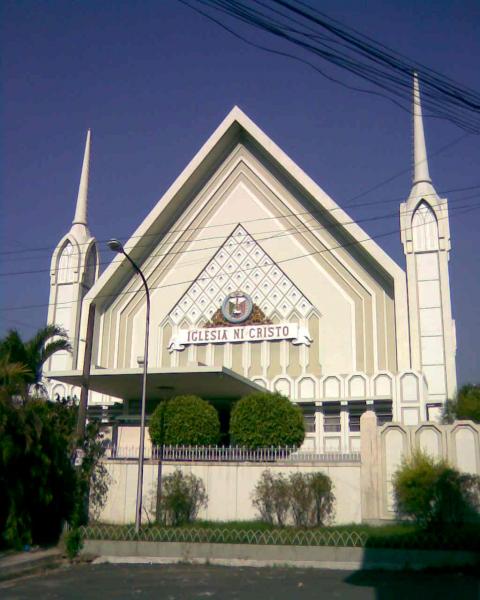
<point x="206" y="382"/>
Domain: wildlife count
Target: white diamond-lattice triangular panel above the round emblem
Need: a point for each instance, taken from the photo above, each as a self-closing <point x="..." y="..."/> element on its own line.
<point x="240" y="264"/>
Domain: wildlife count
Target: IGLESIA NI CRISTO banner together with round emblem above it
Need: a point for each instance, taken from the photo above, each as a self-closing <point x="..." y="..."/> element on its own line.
<point x="236" y="309"/>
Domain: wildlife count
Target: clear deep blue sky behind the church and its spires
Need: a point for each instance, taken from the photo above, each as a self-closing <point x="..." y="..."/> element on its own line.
<point x="153" y="80"/>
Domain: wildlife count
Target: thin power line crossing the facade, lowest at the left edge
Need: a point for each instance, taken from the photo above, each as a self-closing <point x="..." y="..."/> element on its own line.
<point x="338" y="247"/>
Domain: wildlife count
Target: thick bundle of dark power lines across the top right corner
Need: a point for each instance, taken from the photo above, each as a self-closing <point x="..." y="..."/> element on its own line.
<point x="335" y="43"/>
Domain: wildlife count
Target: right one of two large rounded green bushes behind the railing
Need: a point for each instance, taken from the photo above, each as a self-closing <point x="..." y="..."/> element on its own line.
<point x="262" y="419"/>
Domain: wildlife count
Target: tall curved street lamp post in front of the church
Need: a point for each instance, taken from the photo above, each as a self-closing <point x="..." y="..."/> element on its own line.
<point x="117" y="246"/>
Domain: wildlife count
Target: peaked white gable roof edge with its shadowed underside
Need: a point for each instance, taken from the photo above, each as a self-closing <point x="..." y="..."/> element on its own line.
<point x="237" y="130"/>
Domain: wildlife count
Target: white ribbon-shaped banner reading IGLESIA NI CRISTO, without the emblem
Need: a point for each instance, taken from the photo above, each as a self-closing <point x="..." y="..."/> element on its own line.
<point x="246" y="333"/>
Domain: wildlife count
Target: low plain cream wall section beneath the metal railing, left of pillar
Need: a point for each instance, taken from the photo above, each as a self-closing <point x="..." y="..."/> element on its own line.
<point x="229" y="487"/>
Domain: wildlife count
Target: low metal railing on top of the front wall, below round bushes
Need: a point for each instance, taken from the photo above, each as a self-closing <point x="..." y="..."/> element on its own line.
<point x="230" y="454"/>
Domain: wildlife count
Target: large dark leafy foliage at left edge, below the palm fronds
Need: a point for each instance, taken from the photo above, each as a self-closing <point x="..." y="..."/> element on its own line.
<point x="40" y="489"/>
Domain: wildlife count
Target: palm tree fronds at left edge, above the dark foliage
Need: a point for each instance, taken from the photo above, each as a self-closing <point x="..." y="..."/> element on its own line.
<point x="21" y="363"/>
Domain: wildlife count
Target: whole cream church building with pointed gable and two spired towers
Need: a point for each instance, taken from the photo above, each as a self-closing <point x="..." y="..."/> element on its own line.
<point x="259" y="280"/>
